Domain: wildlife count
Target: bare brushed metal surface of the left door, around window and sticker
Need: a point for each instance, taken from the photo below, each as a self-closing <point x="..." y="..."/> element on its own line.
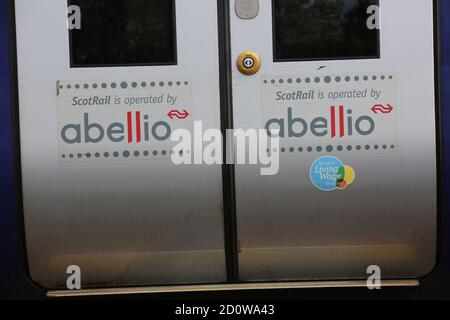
<point x="124" y="222"/>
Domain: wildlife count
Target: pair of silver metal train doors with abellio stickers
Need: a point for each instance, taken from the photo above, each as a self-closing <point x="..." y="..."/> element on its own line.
<point x="348" y="88"/>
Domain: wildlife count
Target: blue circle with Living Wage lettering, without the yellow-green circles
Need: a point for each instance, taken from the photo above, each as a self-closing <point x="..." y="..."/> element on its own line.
<point x="324" y="173"/>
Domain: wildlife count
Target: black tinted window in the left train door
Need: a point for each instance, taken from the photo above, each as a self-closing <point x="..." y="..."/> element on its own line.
<point x="124" y="32"/>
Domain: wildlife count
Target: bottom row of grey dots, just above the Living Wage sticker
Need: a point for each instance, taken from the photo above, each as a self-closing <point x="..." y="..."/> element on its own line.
<point x="332" y="148"/>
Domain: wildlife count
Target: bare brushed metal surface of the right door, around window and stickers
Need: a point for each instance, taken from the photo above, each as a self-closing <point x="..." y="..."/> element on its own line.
<point x="290" y="230"/>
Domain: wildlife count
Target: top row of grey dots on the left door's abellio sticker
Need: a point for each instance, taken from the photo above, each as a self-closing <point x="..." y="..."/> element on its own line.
<point x="124" y="85"/>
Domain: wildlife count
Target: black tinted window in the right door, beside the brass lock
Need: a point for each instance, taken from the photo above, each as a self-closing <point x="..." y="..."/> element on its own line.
<point x="323" y="30"/>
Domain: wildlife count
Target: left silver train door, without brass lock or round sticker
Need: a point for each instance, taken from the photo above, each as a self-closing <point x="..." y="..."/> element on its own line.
<point x="97" y="106"/>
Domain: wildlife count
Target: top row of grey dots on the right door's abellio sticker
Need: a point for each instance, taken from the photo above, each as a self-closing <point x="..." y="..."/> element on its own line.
<point x="327" y="79"/>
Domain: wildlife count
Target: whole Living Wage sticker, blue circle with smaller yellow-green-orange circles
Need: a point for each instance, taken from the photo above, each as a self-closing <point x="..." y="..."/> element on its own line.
<point x="328" y="173"/>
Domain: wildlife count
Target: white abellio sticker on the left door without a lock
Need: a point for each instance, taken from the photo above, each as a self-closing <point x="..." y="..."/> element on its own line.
<point x="100" y="120"/>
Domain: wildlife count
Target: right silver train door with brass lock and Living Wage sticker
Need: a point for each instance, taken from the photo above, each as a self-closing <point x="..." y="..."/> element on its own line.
<point x="349" y="85"/>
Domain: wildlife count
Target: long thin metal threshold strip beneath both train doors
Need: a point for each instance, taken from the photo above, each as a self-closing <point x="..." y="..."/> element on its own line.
<point x="228" y="287"/>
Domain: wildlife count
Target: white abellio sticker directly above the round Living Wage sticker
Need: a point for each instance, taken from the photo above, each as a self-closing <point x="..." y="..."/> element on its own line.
<point x="325" y="113"/>
